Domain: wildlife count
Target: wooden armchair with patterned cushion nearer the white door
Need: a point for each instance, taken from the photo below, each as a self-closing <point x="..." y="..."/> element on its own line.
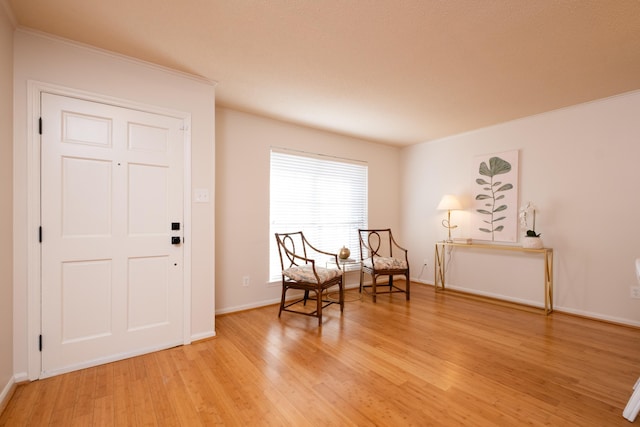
<point x="301" y="270"/>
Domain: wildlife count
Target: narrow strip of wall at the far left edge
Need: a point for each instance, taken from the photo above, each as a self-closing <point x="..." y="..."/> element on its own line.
<point x="6" y="217"/>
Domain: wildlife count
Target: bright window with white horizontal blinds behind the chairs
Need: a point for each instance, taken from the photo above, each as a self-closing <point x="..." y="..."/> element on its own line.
<point x="324" y="197"/>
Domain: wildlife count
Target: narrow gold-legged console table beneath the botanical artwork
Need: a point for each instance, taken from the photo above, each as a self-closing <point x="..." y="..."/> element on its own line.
<point x="547" y="253"/>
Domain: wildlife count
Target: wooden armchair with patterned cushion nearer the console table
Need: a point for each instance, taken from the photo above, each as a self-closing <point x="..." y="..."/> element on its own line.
<point x="382" y="256"/>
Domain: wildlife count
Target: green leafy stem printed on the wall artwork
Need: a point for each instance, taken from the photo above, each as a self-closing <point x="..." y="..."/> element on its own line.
<point x="493" y="206"/>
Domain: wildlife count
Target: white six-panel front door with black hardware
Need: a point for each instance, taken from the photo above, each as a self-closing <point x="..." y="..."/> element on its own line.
<point x="112" y="200"/>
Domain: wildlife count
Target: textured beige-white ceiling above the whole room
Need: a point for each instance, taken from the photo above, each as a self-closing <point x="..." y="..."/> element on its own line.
<point x="394" y="71"/>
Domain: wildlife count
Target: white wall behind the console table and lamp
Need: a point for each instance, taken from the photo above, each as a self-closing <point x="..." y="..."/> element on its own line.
<point x="579" y="165"/>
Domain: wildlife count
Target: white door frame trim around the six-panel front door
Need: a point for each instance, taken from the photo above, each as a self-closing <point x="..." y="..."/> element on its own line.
<point x="34" y="256"/>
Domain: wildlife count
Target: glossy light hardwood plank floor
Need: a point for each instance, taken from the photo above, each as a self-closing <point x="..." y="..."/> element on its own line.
<point x="437" y="360"/>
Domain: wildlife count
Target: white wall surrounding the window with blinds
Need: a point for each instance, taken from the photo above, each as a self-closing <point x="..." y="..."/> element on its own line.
<point x="243" y="144"/>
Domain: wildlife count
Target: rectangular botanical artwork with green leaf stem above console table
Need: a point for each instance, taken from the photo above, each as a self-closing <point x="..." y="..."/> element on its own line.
<point x="494" y="213"/>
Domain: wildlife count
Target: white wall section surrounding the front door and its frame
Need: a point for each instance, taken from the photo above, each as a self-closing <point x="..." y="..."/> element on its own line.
<point x="57" y="62"/>
